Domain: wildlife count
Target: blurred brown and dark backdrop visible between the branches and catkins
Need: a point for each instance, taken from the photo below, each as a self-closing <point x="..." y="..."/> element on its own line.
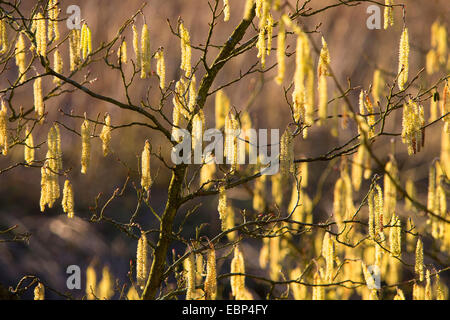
<point x="57" y="242"/>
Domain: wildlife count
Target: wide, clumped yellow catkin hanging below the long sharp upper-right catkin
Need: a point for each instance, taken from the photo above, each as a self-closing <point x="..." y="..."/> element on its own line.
<point x="412" y="127"/>
